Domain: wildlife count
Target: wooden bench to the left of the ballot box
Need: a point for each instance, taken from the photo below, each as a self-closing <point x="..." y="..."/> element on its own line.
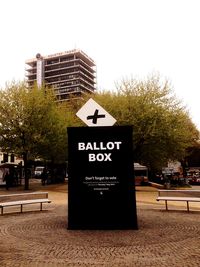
<point x="23" y="199"/>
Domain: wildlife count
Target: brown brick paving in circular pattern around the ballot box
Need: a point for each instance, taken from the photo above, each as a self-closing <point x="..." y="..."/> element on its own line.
<point x="41" y="239"/>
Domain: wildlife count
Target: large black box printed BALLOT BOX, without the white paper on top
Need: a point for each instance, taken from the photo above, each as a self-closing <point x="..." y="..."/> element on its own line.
<point x="101" y="188"/>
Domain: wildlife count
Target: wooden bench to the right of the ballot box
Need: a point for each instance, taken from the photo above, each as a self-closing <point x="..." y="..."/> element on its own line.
<point x="179" y="195"/>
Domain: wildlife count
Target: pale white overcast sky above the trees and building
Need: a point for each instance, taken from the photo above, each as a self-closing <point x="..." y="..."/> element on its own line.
<point x="124" y="37"/>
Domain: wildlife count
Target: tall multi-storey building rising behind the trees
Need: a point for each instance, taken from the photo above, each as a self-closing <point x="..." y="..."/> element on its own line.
<point x="70" y="72"/>
